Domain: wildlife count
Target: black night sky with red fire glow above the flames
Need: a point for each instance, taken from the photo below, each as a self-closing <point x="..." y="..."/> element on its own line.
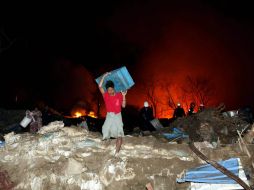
<point x="55" y="47"/>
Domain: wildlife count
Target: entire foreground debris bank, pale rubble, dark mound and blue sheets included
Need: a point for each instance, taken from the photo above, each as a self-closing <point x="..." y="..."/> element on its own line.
<point x="209" y="150"/>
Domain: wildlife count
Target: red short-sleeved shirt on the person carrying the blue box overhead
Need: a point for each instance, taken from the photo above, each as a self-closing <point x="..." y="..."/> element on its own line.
<point x="113" y="103"/>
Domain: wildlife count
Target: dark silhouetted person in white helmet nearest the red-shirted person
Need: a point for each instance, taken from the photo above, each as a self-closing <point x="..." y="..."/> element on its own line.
<point x="146" y="116"/>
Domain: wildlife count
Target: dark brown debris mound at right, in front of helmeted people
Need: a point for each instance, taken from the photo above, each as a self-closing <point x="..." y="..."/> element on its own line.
<point x="211" y="124"/>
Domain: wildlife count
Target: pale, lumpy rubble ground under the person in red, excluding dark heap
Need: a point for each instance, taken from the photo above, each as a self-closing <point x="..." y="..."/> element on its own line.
<point x="72" y="158"/>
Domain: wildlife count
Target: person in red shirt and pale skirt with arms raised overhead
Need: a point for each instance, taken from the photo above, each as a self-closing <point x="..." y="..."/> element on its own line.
<point x="114" y="101"/>
